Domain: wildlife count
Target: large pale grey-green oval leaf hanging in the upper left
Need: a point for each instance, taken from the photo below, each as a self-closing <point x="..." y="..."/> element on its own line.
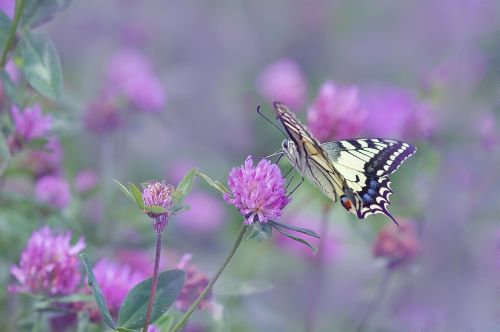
<point x="40" y="64"/>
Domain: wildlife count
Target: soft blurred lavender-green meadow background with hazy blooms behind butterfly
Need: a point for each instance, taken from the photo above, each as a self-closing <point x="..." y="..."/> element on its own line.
<point x="154" y="88"/>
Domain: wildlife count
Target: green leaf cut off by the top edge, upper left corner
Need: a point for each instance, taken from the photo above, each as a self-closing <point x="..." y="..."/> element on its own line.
<point x="37" y="12"/>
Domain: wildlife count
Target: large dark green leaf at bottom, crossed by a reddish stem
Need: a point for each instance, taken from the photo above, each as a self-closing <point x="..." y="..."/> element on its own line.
<point x="133" y="311"/>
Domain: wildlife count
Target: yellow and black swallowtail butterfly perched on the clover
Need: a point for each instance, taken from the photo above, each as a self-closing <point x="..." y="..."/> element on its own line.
<point x="356" y="171"/>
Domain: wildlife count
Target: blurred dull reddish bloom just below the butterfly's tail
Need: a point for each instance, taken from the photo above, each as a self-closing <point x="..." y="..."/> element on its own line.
<point x="397" y="244"/>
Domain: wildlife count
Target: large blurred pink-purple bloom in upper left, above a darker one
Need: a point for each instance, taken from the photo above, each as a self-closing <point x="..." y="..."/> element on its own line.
<point x="131" y="76"/>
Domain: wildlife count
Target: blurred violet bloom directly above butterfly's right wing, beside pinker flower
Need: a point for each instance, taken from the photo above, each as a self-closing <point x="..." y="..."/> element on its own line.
<point x="394" y="113"/>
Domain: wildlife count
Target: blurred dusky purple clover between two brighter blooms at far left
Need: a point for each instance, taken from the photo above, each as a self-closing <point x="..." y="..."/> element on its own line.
<point x="48" y="161"/>
